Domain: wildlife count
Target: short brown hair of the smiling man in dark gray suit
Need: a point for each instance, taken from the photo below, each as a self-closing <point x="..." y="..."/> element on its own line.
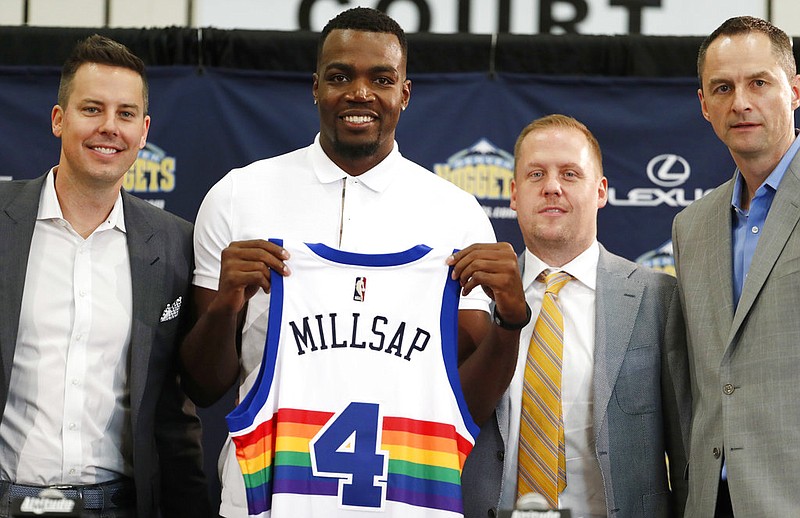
<point x="103" y="51"/>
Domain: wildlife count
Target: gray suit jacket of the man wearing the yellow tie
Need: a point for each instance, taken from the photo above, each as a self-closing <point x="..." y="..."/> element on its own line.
<point x="641" y="400"/>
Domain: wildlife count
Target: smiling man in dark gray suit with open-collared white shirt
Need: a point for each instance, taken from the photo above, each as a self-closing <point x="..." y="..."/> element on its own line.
<point x="92" y="288"/>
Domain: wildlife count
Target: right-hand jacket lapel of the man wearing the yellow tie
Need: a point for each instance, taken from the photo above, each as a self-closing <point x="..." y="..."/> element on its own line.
<point x="617" y="301"/>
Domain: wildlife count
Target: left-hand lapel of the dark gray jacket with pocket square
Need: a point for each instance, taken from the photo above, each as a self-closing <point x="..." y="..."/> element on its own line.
<point x="17" y="221"/>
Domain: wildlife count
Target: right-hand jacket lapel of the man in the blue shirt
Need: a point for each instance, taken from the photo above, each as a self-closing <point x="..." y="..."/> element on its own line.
<point x="781" y="222"/>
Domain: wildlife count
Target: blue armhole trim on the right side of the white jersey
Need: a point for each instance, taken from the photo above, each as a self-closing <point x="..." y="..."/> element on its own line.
<point x="449" y="328"/>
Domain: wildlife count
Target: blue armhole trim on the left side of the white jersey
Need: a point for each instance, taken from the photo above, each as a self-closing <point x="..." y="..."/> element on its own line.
<point x="246" y="411"/>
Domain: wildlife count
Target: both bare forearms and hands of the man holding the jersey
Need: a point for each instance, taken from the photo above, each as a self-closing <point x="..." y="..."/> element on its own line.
<point x="487" y="353"/>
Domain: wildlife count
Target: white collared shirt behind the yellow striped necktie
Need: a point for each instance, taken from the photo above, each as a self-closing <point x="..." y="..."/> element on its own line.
<point x="584" y="494"/>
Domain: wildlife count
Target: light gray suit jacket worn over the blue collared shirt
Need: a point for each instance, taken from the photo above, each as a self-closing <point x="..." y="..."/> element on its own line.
<point x="745" y="360"/>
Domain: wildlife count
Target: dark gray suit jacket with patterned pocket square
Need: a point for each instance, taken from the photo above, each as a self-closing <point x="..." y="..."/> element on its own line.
<point x="167" y="458"/>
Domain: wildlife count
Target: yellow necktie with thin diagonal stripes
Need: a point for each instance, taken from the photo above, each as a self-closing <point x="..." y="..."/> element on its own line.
<point x="542" y="459"/>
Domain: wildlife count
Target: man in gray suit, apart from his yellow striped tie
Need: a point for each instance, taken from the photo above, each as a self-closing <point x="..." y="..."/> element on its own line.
<point x="624" y="390"/>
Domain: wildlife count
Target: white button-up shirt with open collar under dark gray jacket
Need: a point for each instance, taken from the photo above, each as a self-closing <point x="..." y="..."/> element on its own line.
<point x="67" y="417"/>
